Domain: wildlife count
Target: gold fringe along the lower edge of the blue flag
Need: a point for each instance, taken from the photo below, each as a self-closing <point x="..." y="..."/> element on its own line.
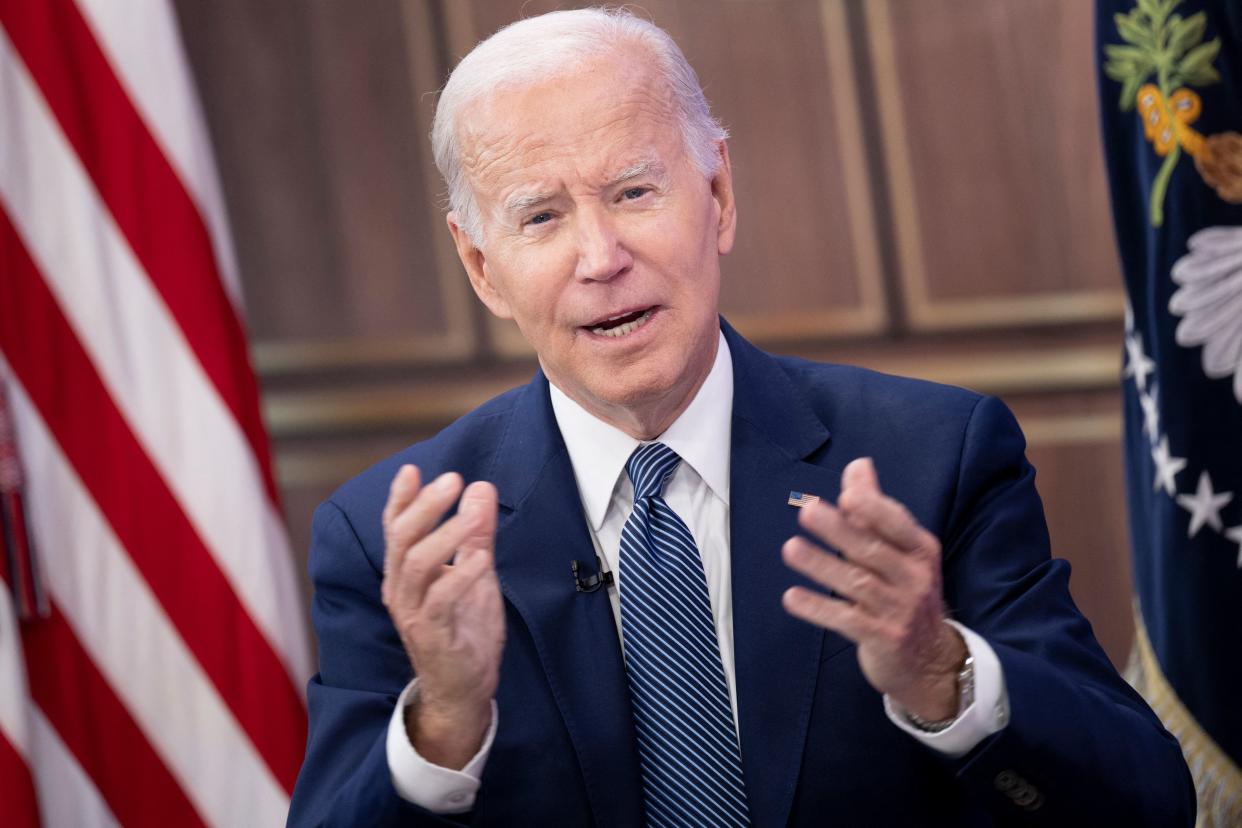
<point x="1218" y="779"/>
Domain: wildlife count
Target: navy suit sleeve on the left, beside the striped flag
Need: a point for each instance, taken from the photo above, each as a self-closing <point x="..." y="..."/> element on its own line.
<point x="363" y="670"/>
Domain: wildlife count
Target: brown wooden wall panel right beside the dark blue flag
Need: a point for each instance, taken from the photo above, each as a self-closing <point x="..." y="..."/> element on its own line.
<point x="994" y="161"/>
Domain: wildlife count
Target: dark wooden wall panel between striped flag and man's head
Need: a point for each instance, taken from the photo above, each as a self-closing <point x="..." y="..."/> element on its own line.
<point x="320" y="120"/>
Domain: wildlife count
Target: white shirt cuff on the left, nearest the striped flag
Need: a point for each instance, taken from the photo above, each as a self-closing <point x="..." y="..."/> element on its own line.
<point x="439" y="790"/>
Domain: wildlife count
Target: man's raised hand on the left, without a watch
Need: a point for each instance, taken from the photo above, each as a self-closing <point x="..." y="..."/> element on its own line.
<point x="450" y="618"/>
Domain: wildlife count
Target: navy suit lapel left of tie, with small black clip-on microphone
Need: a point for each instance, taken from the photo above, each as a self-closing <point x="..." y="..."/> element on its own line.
<point x="542" y="531"/>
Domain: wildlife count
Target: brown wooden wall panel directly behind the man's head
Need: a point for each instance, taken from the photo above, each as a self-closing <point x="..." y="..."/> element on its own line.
<point x="781" y="74"/>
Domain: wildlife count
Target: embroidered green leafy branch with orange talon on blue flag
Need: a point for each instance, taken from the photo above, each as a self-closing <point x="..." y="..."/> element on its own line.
<point x="1172" y="48"/>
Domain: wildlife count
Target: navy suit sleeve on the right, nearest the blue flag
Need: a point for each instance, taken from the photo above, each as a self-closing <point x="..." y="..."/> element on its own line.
<point x="1081" y="747"/>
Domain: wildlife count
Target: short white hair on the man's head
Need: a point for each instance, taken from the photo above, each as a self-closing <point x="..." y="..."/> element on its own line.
<point x="557" y="44"/>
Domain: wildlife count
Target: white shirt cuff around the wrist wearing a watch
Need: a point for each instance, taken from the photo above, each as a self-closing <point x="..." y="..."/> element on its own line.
<point x="984" y="717"/>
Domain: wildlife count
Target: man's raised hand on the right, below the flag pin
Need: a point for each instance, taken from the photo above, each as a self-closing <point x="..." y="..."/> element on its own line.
<point x="889" y="593"/>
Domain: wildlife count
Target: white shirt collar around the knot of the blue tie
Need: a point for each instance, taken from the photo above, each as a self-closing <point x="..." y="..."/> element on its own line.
<point x="700" y="436"/>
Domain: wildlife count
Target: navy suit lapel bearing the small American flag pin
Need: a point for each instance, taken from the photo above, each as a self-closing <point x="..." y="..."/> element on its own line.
<point x="778" y="657"/>
